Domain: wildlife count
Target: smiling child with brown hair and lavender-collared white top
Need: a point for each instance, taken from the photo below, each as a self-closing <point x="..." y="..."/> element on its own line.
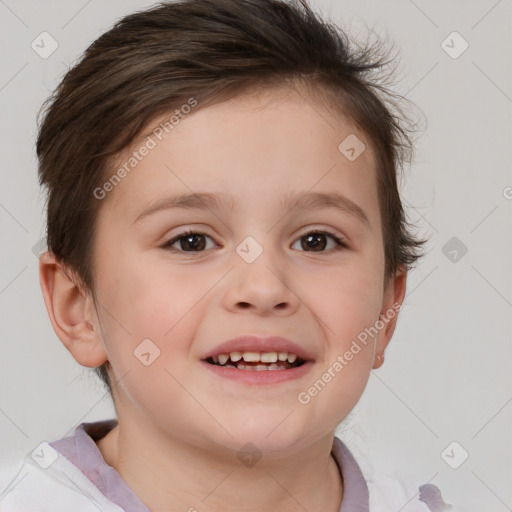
<point x="228" y="248"/>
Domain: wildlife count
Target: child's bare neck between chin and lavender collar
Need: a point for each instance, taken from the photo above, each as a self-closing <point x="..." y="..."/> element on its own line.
<point x="172" y="474"/>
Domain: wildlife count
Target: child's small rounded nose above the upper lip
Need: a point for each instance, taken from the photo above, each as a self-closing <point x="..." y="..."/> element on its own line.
<point x="262" y="287"/>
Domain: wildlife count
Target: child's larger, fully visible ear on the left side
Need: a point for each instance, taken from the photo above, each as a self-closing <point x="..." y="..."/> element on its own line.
<point x="71" y="311"/>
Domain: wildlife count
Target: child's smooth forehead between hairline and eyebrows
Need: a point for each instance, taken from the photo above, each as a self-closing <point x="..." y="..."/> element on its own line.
<point x="256" y="147"/>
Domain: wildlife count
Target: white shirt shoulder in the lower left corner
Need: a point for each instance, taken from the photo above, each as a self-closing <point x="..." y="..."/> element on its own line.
<point x="46" y="481"/>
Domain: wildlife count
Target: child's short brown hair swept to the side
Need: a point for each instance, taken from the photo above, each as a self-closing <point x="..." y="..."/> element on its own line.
<point x="153" y="61"/>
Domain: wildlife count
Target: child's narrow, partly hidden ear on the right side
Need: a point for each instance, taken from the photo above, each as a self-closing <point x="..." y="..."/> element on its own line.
<point x="394" y="294"/>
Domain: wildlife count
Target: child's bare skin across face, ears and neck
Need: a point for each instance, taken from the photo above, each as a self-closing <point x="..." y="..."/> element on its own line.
<point x="180" y="426"/>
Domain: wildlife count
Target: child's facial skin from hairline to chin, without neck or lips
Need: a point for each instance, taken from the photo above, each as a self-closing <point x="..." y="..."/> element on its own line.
<point x="257" y="151"/>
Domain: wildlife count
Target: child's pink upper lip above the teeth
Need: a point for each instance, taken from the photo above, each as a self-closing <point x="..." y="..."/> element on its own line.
<point x="253" y="343"/>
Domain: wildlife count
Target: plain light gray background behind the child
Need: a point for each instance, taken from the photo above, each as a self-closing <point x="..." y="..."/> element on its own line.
<point x="447" y="374"/>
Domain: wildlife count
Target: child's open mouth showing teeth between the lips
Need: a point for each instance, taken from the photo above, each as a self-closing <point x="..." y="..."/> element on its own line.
<point x="257" y="361"/>
